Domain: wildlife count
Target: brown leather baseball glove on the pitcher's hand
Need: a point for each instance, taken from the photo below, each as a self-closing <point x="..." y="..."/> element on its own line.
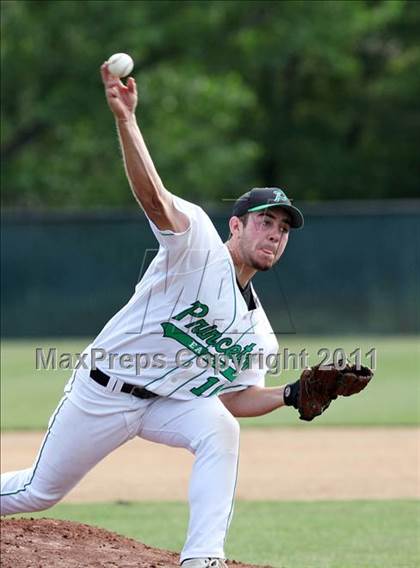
<point x="319" y="386"/>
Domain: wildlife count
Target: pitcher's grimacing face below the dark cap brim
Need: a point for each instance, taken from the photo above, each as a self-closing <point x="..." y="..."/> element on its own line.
<point x="264" y="238"/>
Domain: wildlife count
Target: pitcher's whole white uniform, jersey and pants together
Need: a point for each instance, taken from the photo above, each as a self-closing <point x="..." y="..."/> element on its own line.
<point x="187" y="335"/>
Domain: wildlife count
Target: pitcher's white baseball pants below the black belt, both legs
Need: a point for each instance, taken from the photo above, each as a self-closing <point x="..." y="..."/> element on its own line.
<point x="91" y="421"/>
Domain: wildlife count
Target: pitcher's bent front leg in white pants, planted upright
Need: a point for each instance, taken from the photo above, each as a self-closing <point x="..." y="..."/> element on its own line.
<point x="206" y="428"/>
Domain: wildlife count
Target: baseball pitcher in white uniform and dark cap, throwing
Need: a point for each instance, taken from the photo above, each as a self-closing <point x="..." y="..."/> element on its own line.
<point x="197" y="321"/>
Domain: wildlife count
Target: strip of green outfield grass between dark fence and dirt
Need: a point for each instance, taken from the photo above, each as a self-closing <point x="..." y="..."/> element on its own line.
<point x="28" y="397"/>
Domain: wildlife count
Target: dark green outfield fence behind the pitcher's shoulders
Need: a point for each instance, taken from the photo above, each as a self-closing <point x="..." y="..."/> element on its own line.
<point x="353" y="269"/>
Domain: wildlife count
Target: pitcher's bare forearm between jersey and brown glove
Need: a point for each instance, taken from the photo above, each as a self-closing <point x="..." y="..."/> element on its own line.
<point x="254" y="401"/>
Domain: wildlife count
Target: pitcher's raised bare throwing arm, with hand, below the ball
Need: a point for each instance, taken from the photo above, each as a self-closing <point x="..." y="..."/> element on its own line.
<point x="144" y="180"/>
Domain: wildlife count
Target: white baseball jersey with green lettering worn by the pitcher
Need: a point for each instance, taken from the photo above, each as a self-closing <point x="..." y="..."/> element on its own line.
<point x="187" y="331"/>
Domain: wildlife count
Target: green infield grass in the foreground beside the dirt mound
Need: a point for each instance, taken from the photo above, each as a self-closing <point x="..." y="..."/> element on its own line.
<point x="356" y="534"/>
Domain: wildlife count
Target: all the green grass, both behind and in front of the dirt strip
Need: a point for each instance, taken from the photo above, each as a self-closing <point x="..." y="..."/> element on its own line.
<point x="351" y="534"/>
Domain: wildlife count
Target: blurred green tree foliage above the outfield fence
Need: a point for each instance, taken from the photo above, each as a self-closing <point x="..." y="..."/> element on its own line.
<point x="320" y="97"/>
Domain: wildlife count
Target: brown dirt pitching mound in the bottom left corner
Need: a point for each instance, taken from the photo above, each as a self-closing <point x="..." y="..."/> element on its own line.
<point x="48" y="543"/>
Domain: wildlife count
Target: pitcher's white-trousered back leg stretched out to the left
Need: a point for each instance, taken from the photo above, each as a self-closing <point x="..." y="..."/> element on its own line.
<point x="76" y="440"/>
